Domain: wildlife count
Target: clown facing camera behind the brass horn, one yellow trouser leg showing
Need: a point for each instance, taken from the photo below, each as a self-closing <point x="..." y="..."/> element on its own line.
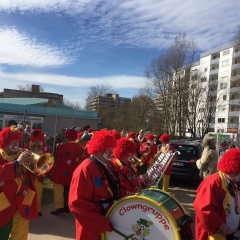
<point x="37" y="145"/>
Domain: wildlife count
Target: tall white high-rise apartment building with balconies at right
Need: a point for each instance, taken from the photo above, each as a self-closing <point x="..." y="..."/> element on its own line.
<point x="220" y="68"/>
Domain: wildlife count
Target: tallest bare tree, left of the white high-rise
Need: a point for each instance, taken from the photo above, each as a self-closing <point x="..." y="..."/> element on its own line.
<point x="169" y="75"/>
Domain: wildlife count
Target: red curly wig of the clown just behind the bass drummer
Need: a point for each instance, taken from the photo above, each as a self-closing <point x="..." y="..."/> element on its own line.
<point x="123" y="148"/>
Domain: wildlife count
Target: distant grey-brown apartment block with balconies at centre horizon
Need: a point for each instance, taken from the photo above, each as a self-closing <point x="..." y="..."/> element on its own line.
<point x="112" y="101"/>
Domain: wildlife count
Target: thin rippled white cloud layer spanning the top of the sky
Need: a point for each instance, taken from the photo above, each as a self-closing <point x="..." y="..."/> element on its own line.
<point x="138" y="23"/>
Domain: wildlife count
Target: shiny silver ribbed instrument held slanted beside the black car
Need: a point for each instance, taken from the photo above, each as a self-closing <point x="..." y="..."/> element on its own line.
<point x="154" y="174"/>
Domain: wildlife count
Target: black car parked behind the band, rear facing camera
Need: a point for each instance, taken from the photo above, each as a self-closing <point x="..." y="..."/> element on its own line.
<point x="184" y="162"/>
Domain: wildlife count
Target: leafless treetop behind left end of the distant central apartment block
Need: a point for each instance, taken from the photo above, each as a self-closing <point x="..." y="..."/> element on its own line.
<point x="97" y="91"/>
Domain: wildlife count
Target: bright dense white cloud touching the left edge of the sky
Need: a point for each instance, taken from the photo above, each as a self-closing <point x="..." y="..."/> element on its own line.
<point x="20" y="49"/>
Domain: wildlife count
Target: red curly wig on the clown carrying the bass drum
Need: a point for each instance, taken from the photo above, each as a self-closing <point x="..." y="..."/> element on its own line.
<point x="101" y="141"/>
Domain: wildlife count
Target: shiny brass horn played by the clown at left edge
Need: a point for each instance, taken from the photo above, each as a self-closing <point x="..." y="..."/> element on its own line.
<point x="39" y="164"/>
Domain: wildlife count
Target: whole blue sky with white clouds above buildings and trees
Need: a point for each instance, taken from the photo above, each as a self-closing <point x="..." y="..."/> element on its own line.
<point x="67" y="46"/>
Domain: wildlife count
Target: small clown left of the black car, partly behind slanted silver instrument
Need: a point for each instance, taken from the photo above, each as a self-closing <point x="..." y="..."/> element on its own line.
<point x="165" y="146"/>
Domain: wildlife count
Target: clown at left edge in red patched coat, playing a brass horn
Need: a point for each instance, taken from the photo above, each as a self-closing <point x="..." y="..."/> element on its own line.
<point x="18" y="199"/>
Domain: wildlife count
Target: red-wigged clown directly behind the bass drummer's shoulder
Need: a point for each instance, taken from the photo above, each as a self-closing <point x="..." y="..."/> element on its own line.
<point x="123" y="154"/>
